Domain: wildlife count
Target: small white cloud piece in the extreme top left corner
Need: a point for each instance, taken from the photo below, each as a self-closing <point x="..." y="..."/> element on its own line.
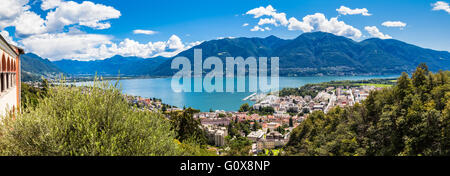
<point x="10" y="10"/>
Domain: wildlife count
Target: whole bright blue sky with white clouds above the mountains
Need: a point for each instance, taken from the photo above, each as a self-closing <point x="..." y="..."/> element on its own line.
<point x="86" y="30"/>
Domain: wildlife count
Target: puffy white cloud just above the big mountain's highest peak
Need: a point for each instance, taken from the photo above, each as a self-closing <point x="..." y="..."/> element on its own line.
<point x="318" y="22"/>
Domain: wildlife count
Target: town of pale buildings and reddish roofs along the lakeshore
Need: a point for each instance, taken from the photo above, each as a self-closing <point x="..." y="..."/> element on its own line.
<point x="270" y="119"/>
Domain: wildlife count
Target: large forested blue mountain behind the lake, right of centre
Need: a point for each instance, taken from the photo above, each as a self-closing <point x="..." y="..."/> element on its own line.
<point x="321" y="53"/>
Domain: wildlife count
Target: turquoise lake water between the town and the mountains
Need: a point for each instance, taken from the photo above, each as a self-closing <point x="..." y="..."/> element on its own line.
<point x="161" y="88"/>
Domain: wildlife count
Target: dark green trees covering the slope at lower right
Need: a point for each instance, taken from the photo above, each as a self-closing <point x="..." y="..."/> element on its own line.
<point x="411" y="118"/>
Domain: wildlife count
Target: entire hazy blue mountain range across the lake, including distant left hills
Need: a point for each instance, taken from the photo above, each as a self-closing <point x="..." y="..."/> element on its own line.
<point x="316" y="53"/>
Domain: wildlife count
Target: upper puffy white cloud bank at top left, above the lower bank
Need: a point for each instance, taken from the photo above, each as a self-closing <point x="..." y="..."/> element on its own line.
<point x="62" y="13"/>
